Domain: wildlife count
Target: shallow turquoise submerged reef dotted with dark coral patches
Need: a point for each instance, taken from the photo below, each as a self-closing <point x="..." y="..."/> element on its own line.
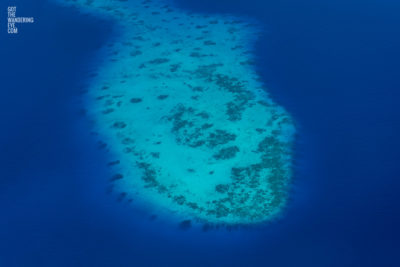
<point x="190" y="126"/>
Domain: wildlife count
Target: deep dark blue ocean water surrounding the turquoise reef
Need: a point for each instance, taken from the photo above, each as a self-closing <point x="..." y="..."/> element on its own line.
<point x="333" y="64"/>
